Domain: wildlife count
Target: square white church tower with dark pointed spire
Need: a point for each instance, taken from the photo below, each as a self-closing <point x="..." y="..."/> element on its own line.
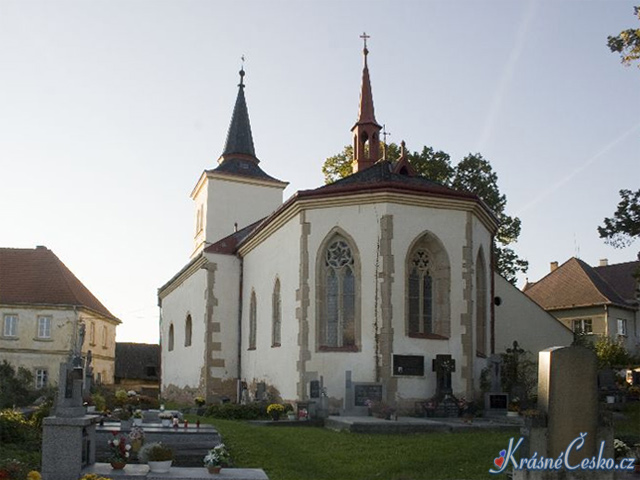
<point x="237" y="192"/>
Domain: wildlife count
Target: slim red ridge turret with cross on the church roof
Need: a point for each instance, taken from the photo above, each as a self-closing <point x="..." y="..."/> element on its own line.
<point x="366" y="131"/>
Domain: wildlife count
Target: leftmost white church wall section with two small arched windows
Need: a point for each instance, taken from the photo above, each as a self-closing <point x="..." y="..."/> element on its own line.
<point x="187" y="299"/>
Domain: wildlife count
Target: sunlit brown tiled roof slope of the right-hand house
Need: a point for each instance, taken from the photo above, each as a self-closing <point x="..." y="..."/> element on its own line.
<point x="573" y="284"/>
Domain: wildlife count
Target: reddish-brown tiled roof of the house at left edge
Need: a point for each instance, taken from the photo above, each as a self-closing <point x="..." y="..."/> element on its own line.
<point x="38" y="277"/>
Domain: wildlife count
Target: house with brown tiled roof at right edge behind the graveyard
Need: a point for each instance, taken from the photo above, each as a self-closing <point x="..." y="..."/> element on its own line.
<point x="601" y="300"/>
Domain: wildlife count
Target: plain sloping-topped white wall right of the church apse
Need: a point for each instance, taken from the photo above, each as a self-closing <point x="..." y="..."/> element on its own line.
<point x="520" y="318"/>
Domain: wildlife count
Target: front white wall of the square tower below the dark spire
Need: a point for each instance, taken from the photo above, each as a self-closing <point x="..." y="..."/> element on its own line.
<point x="227" y="204"/>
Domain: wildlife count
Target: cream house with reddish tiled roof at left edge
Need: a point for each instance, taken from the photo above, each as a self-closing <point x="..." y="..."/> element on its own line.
<point x="43" y="309"/>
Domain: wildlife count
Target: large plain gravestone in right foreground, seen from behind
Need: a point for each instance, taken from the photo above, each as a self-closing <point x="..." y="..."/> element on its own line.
<point x="567" y="408"/>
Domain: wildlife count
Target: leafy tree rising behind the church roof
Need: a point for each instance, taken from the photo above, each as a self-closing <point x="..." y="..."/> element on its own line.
<point x="472" y="174"/>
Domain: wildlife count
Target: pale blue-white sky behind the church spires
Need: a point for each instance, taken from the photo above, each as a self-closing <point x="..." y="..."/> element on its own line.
<point x="111" y="110"/>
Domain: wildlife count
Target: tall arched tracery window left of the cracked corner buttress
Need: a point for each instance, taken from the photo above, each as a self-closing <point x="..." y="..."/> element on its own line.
<point x="339" y="284"/>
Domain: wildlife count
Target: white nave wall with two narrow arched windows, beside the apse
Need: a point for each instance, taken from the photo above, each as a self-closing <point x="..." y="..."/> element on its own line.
<point x="277" y="257"/>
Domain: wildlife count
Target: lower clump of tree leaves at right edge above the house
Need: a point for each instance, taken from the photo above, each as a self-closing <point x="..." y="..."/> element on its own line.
<point x="624" y="227"/>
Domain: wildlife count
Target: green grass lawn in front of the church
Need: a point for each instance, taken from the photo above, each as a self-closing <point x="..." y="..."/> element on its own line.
<point x="301" y="453"/>
